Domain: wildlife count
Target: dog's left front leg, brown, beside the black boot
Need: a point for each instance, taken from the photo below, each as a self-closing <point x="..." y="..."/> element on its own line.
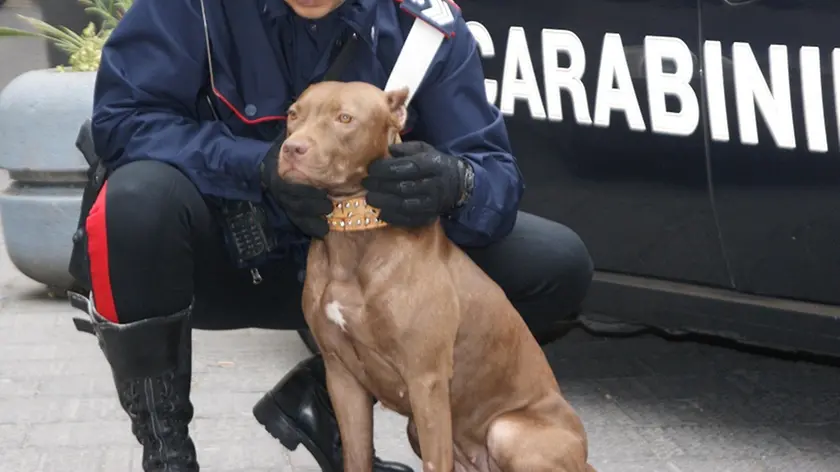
<point x="353" y="407"/>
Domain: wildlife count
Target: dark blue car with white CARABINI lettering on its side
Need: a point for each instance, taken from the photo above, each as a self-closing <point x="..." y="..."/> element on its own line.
<point x="694" y="146"/>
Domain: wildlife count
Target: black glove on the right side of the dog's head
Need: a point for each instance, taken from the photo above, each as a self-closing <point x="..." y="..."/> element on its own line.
<point x="417" y="186"/>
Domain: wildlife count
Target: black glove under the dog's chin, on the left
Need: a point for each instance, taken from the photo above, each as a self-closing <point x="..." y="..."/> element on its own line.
<point x="306" y="206"/>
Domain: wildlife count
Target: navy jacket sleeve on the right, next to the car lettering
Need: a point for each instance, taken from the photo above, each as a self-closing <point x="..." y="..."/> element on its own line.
<point x="455" y="117"/>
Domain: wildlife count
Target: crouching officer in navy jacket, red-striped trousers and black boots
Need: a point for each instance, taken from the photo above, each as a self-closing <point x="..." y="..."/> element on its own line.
<point x="183" y="224"/>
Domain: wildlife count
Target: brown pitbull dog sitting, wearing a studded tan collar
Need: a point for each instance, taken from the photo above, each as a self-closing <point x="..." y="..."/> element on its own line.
<point x="406" y="316"/>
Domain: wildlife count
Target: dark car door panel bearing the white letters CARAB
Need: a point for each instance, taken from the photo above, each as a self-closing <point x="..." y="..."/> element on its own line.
<point x="603" y="147"/>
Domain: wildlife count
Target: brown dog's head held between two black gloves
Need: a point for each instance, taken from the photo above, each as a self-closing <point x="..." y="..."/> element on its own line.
<point x="335" y="130"/>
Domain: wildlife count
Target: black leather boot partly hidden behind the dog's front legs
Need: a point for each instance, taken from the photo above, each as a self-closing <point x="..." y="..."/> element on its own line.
<point x="298" y="411"/>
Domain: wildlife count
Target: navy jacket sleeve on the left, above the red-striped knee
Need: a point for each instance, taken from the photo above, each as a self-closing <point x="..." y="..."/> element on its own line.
<point x="145" y="102"/>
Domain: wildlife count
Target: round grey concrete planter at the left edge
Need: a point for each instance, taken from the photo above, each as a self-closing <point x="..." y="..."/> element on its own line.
<point x="40" y="115"/>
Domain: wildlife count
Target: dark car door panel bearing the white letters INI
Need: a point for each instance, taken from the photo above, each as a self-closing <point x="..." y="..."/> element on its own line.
<point x="773" y="71"/>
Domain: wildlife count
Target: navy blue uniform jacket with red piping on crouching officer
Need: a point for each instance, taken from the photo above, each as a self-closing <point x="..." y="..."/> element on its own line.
<point x="154" y="98"/>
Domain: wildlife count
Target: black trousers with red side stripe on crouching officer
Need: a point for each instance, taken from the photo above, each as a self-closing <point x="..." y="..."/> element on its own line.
<point x="154" y="247"/>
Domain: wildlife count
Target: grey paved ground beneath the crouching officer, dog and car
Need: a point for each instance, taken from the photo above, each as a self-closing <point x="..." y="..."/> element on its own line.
<point x="649" y="405"/>
